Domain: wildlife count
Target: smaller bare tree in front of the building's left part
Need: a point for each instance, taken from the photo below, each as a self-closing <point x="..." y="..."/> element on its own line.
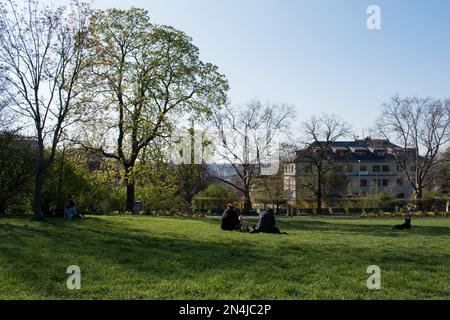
<point x="318" y="136"/>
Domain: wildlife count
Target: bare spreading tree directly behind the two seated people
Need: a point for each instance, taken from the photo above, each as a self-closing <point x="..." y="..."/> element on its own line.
<point x="248" y="136"/>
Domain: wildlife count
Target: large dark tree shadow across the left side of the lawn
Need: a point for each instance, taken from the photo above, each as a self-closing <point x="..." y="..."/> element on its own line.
<point x="62" y="243"/>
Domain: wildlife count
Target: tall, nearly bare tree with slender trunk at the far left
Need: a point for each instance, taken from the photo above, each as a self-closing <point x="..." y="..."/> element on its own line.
<point x="42" y="52"/>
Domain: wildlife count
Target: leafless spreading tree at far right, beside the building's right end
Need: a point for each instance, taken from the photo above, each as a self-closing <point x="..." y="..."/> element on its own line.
<point x="421" y="126"/>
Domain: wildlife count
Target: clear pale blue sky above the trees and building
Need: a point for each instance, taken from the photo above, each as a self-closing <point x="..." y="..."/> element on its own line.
<point x="317" y="55"/>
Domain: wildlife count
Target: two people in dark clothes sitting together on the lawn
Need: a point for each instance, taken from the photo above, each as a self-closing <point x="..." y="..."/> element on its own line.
<point x="231" y="221"/>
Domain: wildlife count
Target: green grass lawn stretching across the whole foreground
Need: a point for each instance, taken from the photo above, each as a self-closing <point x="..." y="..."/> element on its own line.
<point x="176" y="258"/>
